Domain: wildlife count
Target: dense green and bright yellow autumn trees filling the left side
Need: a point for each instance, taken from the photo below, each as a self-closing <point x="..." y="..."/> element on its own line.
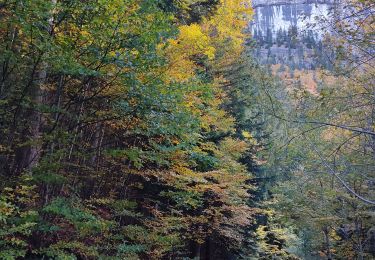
<point x="114" y="140"/>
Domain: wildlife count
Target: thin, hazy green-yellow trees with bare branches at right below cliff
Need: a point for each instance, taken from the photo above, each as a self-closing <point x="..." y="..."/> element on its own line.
<point x="323" y="150"/>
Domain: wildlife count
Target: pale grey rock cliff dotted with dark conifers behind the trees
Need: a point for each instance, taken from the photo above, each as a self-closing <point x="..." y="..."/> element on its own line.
<point x="285" y="33"/>
